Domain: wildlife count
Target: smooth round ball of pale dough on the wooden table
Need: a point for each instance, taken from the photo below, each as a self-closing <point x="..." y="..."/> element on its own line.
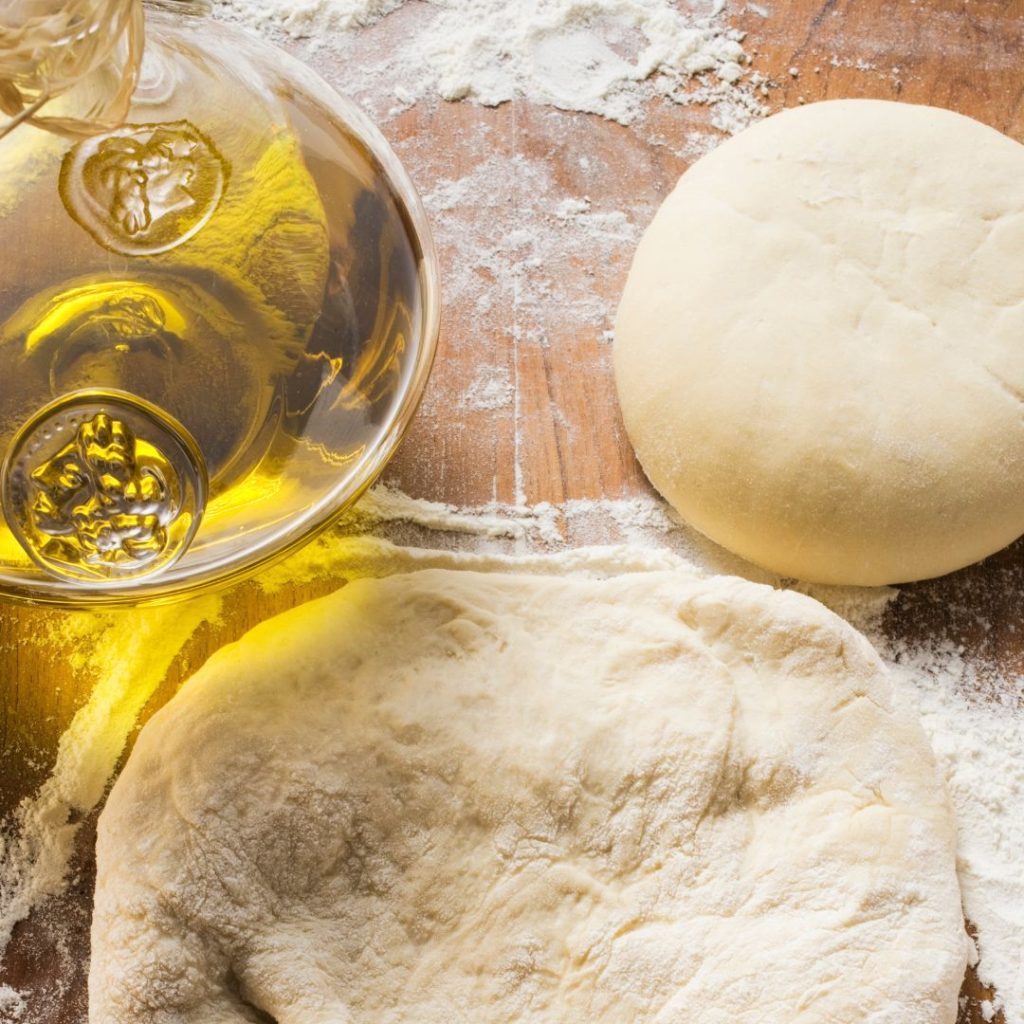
<point x="821" y="349"/>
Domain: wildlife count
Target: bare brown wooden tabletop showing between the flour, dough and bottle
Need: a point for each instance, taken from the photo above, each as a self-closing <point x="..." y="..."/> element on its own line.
<point x="559" y="438"/>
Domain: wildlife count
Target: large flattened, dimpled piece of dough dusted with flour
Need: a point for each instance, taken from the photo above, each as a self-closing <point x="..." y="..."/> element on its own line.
<point x="460" y="798"/>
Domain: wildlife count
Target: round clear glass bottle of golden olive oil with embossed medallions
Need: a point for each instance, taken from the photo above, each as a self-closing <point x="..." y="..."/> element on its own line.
<point x="219" y="301"/>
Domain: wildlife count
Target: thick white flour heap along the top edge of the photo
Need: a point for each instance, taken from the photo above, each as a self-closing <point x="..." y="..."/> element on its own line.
<point x="585" y="56"/>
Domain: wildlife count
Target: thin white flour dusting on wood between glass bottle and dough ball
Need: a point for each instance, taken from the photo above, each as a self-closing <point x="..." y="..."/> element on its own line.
<point x="513" y="245"/>
